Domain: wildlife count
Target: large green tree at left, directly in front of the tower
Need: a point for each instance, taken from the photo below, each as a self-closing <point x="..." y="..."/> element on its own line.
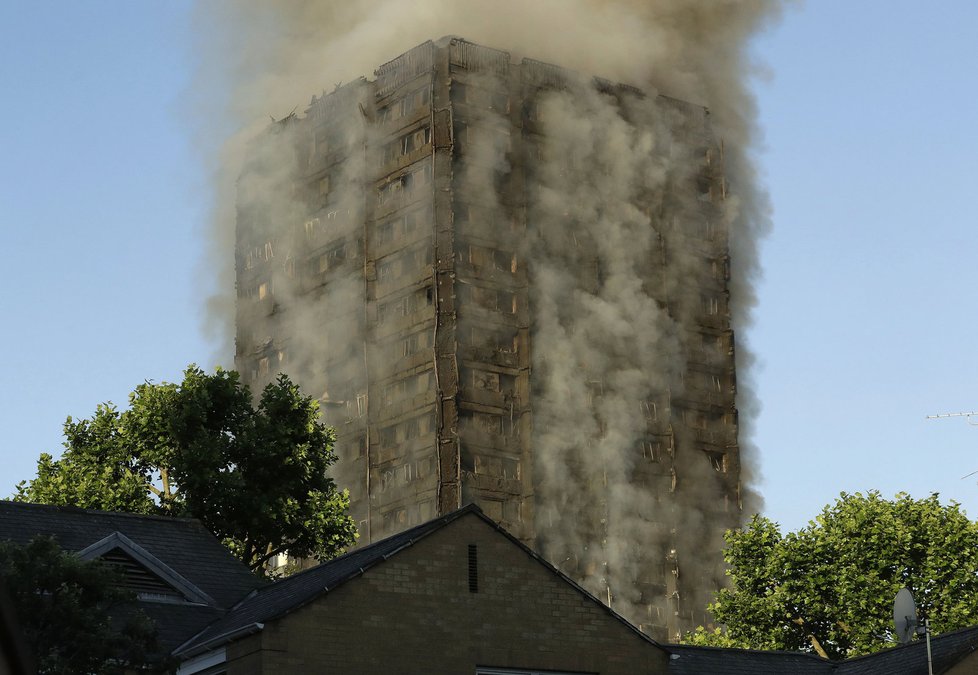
<point x="255" y="476"/>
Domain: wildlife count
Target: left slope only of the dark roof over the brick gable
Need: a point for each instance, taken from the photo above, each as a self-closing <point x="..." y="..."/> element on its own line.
<point x="293" y="592"/>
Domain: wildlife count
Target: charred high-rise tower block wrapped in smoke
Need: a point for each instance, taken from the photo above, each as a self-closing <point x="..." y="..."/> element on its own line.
<point x="508" y="284"/>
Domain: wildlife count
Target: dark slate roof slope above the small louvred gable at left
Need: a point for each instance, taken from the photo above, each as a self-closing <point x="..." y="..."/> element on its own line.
<point x="183" y="544"/>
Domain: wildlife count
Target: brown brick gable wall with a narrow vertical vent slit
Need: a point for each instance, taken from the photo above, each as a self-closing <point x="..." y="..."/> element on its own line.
<point x="416" y="613"/>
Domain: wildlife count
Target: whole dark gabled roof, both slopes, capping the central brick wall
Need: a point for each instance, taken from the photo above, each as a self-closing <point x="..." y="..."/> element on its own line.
<point x="292" y="593"/>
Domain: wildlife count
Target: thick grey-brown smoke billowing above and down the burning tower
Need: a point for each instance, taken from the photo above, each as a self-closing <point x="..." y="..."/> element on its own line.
<point x="600" y="166"/>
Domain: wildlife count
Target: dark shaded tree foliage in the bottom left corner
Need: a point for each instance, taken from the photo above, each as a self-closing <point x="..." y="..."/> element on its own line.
<point x="74" y="617"/>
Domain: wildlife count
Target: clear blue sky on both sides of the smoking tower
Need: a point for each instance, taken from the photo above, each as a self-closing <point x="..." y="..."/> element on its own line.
<point x="865" y="323"/>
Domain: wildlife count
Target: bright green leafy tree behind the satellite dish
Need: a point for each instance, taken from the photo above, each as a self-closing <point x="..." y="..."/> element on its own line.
<point x="829" y="588"/>
